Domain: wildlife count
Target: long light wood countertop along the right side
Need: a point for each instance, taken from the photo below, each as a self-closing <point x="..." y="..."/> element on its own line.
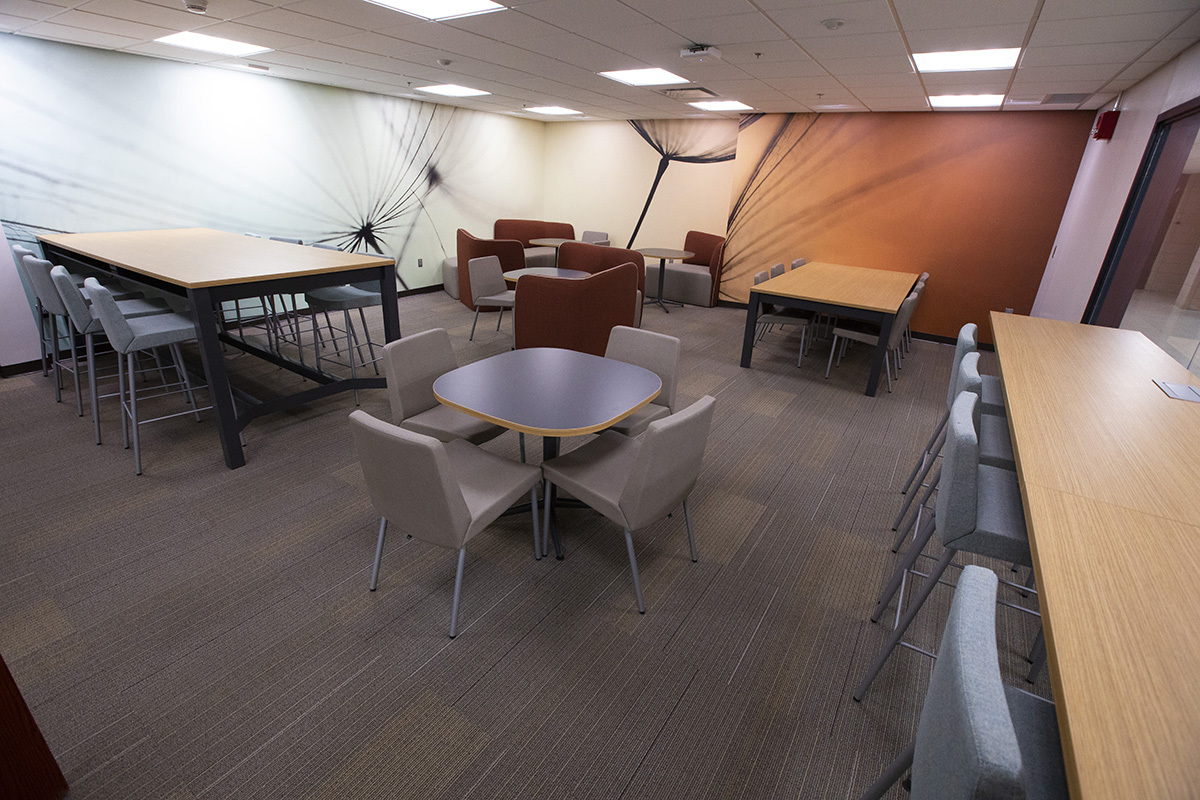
<point x="1109" y="468"/>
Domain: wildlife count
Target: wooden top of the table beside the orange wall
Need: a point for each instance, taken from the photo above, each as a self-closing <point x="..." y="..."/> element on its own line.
<point x="851" y="287"/>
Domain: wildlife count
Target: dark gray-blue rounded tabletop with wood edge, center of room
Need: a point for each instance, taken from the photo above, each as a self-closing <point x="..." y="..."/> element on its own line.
<point x="549" y="392"/>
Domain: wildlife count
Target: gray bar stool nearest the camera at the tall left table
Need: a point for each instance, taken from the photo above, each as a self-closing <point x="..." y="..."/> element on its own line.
<point x="128" y="338"/>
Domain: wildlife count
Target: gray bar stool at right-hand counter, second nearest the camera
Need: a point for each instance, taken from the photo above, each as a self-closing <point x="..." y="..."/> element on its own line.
<point x="979" y="512"/>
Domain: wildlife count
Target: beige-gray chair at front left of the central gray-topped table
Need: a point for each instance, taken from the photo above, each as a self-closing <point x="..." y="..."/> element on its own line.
<point x="442" y="494"/>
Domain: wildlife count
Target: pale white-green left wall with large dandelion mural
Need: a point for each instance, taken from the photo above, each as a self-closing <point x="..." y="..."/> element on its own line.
<point x="101" y="141"/>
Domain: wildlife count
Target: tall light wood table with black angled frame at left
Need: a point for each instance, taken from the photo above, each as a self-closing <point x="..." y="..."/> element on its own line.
<point x="214" y="267"/>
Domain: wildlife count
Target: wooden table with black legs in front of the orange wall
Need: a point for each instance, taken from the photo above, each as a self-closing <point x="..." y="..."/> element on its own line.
<point x="838" y="291"/>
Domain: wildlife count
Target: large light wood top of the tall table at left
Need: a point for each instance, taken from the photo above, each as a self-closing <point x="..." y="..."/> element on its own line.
<point x="199" y="257"/>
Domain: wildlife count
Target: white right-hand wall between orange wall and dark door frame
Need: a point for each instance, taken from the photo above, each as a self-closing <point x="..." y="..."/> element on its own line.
<point x="1102" y="187"/>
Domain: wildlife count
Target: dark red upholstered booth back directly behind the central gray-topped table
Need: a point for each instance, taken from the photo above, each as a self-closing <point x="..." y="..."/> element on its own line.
<point x="575" y="315"/>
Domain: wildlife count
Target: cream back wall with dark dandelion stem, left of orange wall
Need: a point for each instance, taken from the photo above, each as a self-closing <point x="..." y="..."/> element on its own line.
<point x="598" y="175"/>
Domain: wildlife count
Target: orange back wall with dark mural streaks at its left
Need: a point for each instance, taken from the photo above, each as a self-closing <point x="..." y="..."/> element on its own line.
<point x="974" y="199"/>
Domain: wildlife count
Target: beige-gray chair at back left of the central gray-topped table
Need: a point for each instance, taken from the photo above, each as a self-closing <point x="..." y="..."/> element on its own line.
<point x="411" y="366"/>
